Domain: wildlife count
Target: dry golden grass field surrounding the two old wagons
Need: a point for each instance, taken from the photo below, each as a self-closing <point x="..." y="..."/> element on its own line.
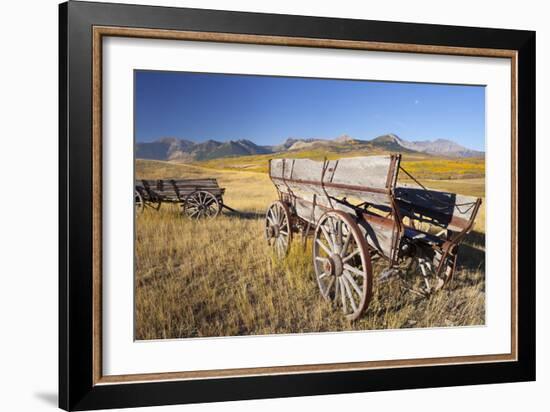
<point x="219" y="277"/>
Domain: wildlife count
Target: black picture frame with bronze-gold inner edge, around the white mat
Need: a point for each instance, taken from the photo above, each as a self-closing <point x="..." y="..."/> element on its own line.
<point x="81" y="382"/>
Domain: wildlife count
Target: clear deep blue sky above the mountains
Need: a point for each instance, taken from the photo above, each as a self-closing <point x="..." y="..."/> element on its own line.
<point x="268" y="110"/>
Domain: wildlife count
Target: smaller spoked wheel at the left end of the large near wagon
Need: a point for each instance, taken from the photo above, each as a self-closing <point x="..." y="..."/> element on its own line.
<point x="277" y="228"/>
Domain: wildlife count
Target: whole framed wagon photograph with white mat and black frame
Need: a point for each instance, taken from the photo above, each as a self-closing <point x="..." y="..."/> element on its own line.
<point x="257" y="205"/>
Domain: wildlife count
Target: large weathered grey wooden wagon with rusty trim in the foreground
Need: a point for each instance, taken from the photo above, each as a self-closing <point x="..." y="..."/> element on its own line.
<point x="358" y="215"/>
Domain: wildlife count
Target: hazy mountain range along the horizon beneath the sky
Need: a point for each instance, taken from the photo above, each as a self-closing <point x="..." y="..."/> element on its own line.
<point x="172" y="148"/>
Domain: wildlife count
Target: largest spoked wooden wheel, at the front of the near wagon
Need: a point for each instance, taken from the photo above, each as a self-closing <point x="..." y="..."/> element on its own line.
<point x="342" y="263"/>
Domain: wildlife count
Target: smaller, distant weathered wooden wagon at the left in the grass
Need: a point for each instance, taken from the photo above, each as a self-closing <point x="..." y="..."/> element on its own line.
<point x="199" y="198"/>
